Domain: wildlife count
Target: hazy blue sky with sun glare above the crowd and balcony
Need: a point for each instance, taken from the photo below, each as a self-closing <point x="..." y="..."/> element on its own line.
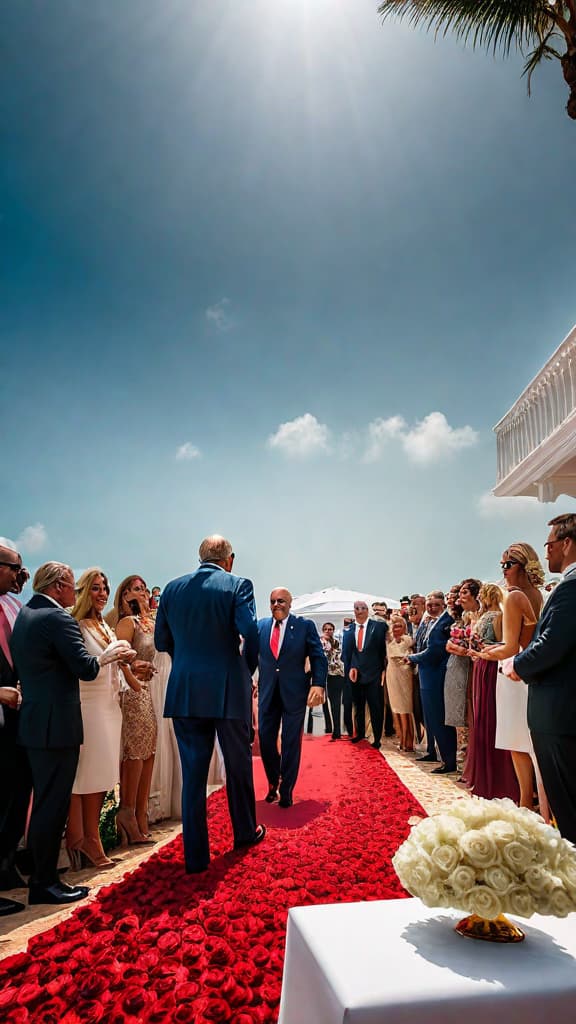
<point x="239" y="241"/>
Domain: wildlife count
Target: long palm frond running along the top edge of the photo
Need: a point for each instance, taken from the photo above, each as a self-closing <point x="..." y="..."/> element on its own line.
<point x="496" y="25"/>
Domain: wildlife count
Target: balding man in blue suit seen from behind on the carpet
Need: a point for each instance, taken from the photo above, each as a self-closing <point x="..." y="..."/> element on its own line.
<point x="200" y="622"/>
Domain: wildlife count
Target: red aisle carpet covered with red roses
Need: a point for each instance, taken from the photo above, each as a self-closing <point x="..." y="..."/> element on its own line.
<point x="166" y="947"/>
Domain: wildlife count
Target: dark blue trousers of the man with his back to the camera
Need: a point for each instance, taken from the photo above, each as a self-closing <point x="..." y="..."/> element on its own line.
<point x="196" y="744"/>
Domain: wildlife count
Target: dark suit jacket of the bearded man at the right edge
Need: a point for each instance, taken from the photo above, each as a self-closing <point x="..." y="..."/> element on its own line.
<point x="549" y="665"/>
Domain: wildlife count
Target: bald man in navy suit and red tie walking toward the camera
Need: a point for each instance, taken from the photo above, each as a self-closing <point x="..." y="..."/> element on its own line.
<point x="285" y="643"/>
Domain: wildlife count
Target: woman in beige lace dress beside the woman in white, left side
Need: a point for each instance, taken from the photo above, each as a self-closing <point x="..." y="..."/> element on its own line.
<point x="140" y="728"/>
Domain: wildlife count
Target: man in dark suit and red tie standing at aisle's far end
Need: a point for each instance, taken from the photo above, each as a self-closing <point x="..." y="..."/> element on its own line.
<point x="364" y="655"/>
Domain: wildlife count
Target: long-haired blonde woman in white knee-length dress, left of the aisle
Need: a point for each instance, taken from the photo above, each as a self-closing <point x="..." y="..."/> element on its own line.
<point x="99" y="765"/>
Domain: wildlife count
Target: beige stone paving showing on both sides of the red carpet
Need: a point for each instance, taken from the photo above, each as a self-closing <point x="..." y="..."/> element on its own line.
<point x="434" y="793"/>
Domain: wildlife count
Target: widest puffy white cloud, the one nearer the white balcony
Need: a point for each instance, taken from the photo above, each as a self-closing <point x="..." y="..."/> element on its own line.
<point x="432" y="440"/>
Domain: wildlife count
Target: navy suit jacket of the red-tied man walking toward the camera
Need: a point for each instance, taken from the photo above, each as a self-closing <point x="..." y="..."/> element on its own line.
<point x="301" y="642"/>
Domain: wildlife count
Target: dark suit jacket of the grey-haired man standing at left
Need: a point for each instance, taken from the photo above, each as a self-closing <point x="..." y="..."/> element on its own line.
<point x="50" y="658"/>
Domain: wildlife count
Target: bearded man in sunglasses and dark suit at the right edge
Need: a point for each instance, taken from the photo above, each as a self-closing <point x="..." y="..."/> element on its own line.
<point x="549" y="666"/>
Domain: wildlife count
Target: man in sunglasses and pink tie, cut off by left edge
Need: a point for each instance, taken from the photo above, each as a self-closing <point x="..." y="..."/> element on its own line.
<point x="16" y="788"/>
